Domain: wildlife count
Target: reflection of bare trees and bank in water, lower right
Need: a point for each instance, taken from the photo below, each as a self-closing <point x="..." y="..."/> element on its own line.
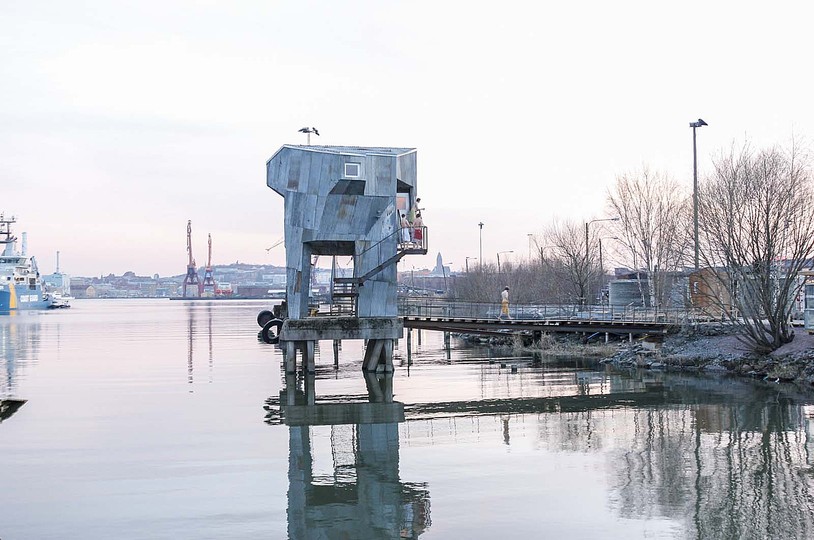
<point x="730" y="460"/>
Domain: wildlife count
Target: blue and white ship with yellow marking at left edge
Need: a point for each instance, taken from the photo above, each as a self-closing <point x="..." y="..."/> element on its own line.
<point x="20" y="283"/>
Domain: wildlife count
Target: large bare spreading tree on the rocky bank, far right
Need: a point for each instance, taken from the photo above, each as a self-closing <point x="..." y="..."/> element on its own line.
<point x="756" y="217"/>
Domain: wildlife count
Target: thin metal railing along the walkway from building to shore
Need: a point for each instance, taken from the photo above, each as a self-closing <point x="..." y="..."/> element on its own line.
<point x="433" y="307"/>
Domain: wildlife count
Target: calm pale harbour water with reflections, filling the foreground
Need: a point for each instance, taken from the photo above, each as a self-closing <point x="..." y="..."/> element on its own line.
<point x="156" y="419"/>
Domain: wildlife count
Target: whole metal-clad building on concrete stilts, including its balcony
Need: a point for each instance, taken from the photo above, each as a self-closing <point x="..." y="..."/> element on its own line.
<point x="345" y="201"/>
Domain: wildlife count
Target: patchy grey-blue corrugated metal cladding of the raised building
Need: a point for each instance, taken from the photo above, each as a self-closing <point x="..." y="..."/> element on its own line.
<point x="330" y="207"/>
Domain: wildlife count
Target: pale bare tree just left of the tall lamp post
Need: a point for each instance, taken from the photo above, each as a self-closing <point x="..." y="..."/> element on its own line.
<point x="654" y="222"/>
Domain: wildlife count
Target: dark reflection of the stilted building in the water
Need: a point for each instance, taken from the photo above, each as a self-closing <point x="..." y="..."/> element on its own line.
<point x="364" y="496"/>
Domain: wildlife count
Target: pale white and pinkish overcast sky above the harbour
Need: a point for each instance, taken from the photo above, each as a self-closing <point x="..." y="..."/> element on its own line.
<point x="120" y="121"/>
